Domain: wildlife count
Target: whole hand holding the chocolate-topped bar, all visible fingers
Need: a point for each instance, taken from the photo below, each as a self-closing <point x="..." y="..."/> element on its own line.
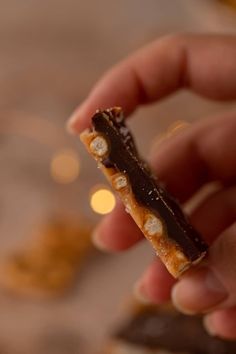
<point x="206" y="151"/>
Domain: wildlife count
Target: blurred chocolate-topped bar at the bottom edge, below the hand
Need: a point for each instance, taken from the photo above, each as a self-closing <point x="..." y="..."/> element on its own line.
<point x="160" y="331"/>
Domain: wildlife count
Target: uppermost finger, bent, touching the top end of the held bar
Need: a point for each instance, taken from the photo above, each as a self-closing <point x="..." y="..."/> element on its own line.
<point x="204" y="64"/>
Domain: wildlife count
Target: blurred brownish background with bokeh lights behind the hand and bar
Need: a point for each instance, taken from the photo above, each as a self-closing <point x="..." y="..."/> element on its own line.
<point x="57" y="294"/>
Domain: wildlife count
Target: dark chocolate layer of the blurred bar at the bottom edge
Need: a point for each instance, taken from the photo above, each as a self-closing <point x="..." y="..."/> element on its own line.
<point x="174" y="332"/>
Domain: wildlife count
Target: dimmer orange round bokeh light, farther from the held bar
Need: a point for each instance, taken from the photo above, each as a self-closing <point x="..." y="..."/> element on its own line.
<point x="65" y="166"/>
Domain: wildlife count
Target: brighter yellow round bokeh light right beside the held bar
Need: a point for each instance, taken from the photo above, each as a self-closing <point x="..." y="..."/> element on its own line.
<point x="102" y="200"/>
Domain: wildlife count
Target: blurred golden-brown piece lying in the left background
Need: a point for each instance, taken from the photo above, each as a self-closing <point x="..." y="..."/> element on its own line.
<point x="47" y="267"/>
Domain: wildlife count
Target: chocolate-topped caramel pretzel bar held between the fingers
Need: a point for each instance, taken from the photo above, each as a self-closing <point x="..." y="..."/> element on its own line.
<point x="155" y="212"/>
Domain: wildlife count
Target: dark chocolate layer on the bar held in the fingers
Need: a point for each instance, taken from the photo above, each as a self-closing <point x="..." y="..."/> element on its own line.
<point x="124" y="157"/>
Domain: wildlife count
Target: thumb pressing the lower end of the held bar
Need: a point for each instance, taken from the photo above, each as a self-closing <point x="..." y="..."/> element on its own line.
<point x="212" y="285"/>
